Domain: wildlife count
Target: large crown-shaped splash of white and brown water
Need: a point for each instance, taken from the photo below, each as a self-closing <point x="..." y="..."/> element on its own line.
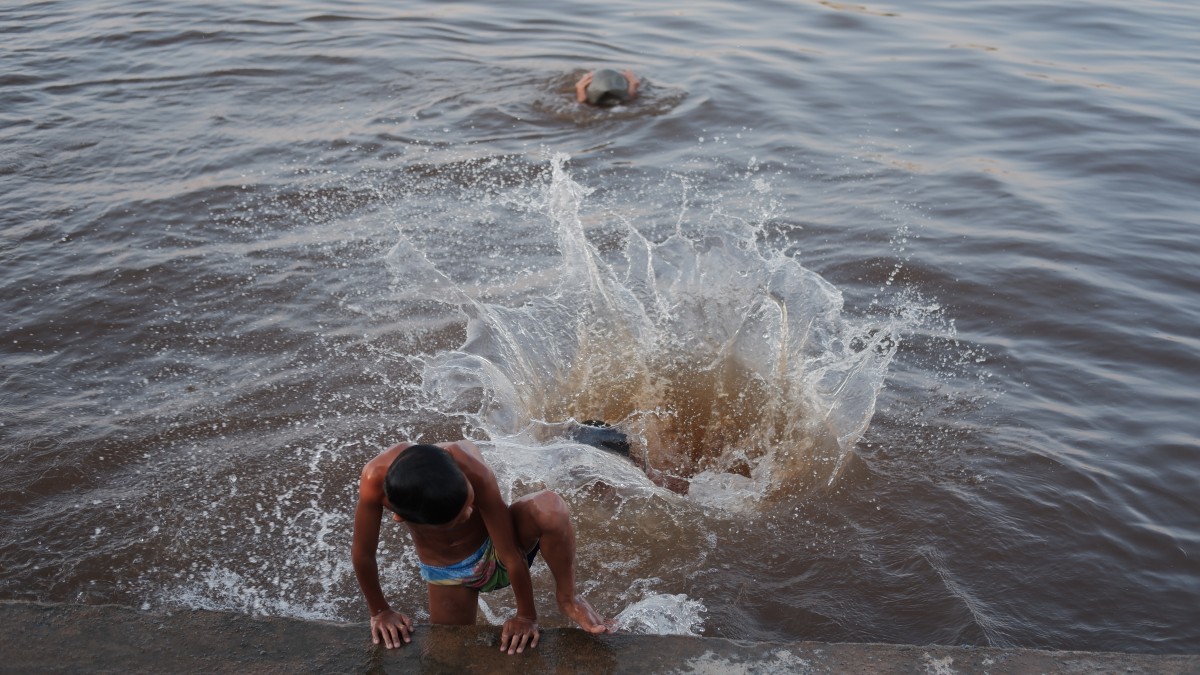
<point x="730" y="367"/>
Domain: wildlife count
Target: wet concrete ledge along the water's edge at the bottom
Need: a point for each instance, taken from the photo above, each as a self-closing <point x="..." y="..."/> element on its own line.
<point x="56" y="638"/>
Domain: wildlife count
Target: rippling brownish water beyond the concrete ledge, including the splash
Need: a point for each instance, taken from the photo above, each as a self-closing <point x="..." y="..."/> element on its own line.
<point x="243" y="244"/>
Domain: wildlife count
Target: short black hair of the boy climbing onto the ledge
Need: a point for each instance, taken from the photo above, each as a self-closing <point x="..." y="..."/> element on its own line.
<point x="425" y="486"/>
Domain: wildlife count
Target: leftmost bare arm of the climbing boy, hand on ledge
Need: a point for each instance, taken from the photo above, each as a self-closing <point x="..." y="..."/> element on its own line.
<point x="389" y="626"/>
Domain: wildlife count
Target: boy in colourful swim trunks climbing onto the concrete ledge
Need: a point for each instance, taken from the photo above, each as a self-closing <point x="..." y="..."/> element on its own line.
<point x="467" y="539"/>
